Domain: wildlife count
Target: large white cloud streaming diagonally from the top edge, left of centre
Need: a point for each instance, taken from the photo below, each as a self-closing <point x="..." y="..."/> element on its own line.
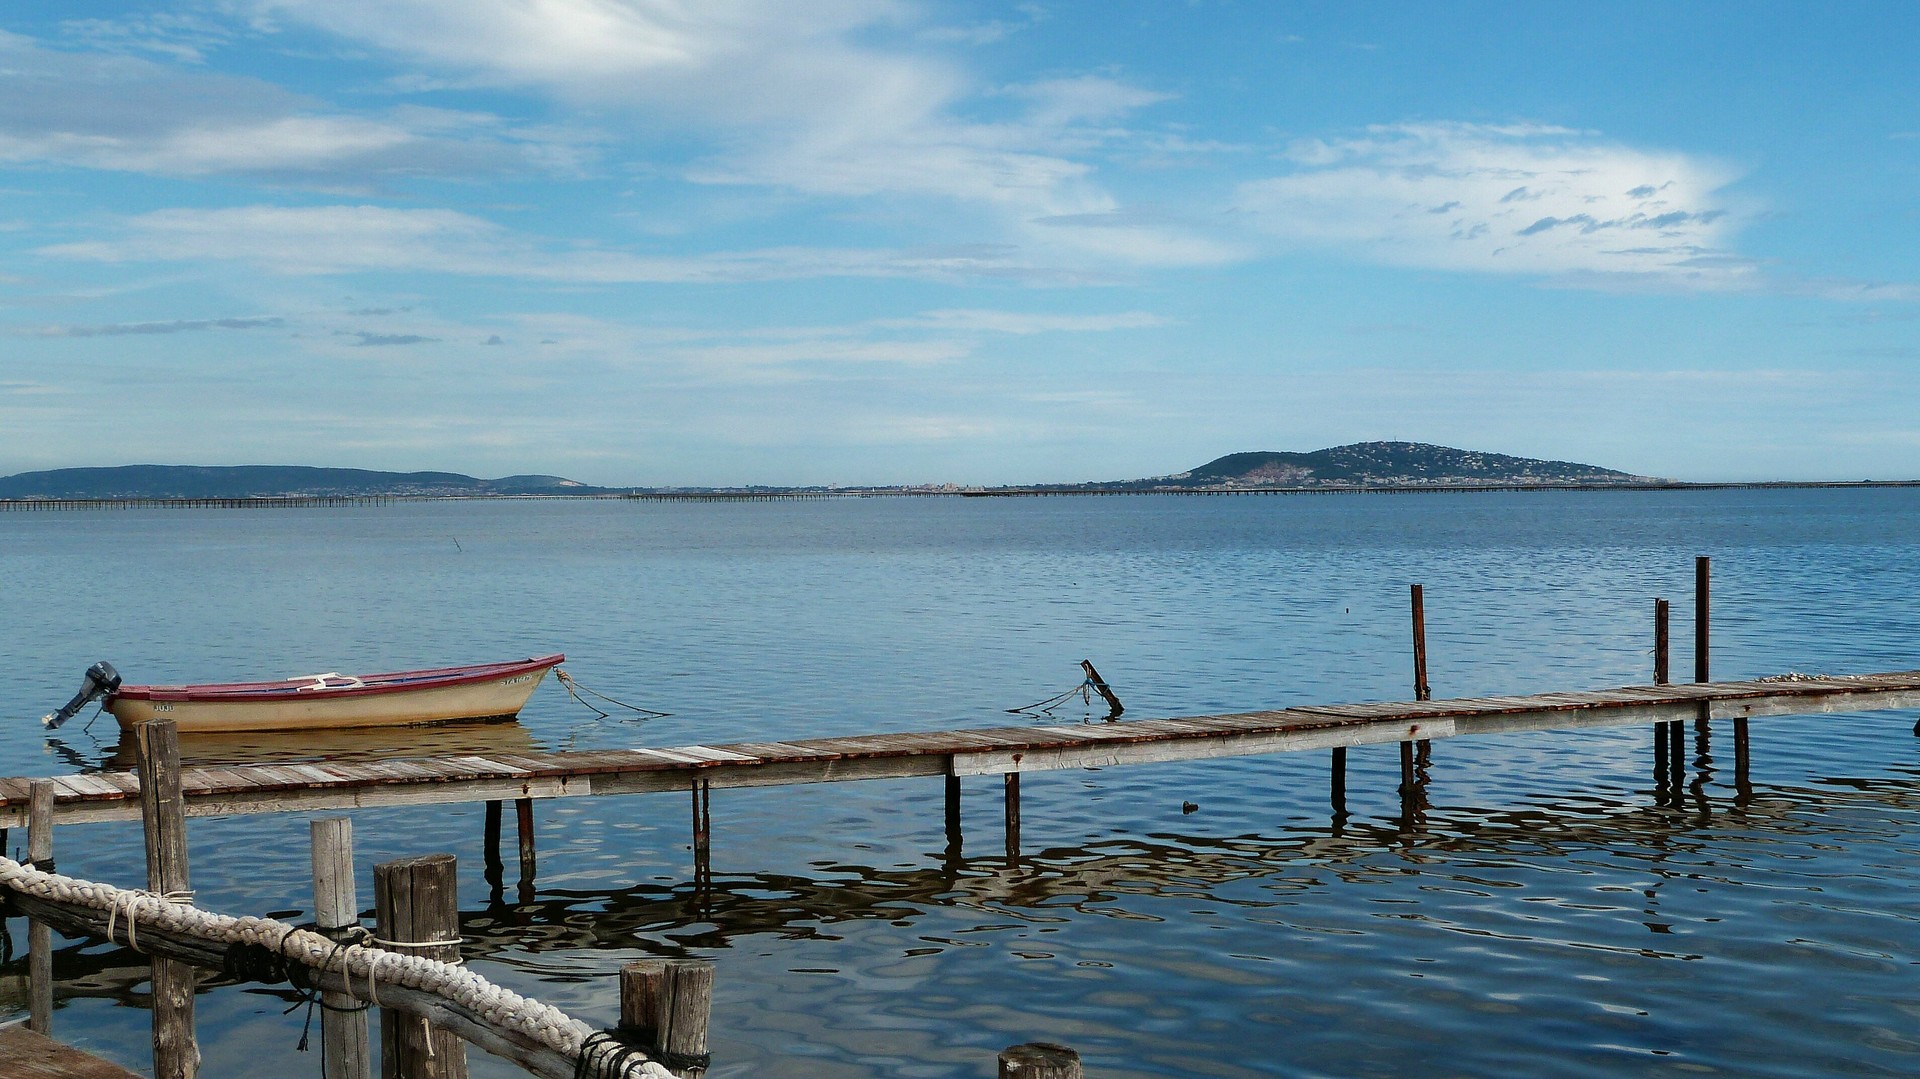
<point x="827" y="99"/>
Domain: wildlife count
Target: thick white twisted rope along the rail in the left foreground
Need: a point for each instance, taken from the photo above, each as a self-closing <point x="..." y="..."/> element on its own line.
<point x="372" y="967"/>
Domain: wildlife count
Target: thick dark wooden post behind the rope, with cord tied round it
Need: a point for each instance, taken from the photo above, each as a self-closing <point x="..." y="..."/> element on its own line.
<point x="418" y="913"/>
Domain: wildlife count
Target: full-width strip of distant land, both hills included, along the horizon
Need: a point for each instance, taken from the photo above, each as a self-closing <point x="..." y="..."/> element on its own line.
<point x="1370" y="468"/>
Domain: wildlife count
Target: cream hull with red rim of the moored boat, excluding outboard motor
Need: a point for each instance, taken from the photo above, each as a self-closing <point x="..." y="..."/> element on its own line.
<point x="496" y="698"/>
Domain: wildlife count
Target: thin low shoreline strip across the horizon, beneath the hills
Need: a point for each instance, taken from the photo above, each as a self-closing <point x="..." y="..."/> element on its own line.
<point x="805" y="494"/>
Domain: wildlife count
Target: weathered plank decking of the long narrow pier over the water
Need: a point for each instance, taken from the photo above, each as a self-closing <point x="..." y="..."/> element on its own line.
<point x="986" y="752"/>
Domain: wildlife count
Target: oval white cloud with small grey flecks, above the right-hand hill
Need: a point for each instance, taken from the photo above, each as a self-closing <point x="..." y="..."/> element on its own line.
<point x="1537" y="201"/>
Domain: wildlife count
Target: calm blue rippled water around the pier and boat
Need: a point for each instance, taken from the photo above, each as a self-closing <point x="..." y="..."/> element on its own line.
<point x="1547" y="919"/>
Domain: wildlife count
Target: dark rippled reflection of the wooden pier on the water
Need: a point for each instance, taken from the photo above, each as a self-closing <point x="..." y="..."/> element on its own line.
<point x="1458" y="848"/>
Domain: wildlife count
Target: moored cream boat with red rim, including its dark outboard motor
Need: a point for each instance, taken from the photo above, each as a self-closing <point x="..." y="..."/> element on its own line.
<point x="333" y="702"/>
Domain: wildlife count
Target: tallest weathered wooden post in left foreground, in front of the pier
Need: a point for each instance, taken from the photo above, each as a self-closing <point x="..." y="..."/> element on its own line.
<point x="164" y="817"/>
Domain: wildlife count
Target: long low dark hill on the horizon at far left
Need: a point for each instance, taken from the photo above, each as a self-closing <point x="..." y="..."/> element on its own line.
<point x="268" y="481"/>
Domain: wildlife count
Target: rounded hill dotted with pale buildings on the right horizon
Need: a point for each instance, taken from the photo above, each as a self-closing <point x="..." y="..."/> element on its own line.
<point x="1389" y="466"/>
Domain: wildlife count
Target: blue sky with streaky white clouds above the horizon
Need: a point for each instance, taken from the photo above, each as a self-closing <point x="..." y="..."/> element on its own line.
<point x="880" y="241"/>
